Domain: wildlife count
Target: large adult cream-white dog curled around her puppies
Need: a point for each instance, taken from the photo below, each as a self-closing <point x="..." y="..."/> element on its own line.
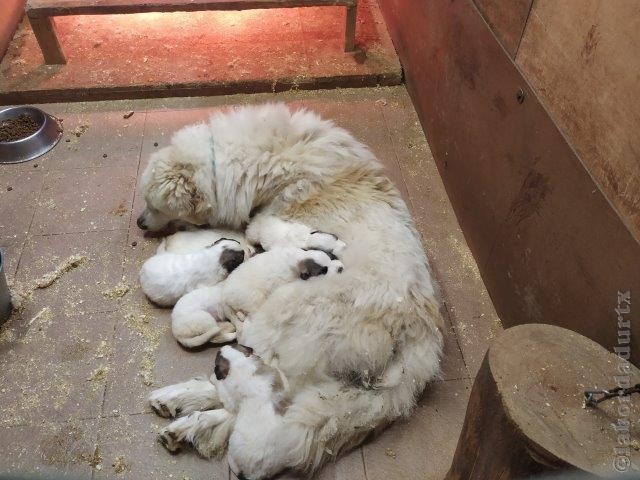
<point x="357" y="349"/>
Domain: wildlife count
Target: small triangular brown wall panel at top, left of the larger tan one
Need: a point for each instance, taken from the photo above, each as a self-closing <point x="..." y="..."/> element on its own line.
<point x="507" y="19"/>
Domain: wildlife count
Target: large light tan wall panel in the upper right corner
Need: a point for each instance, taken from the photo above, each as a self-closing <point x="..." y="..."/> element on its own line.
<point x="582" y="58"/>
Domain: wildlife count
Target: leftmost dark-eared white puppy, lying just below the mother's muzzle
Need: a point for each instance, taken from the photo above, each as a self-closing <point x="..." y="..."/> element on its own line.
<point x="168" y="276"/>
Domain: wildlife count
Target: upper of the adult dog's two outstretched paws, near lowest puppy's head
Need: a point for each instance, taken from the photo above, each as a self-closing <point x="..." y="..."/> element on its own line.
<point x="183" y="398"/>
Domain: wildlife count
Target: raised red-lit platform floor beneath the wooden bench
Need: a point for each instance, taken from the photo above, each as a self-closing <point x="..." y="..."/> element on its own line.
<point x="169" y="54"/>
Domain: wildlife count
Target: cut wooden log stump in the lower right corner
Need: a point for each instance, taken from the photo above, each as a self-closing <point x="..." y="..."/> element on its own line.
<point x="526" y="412"/>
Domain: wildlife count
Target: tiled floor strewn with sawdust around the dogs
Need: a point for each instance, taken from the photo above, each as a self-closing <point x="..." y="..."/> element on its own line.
<point x="76" y="365"/>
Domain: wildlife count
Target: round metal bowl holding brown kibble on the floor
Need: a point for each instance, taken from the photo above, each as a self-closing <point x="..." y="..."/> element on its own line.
<point x="36" y="144"/>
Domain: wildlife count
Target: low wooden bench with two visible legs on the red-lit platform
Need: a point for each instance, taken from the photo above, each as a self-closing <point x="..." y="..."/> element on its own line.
<point x="41" y="13"/>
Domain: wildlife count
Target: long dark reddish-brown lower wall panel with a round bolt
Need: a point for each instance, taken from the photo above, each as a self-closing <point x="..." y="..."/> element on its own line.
<point x="550" y="247"/>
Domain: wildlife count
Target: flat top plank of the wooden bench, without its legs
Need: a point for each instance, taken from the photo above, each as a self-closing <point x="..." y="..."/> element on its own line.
<point x="98" y="7"/>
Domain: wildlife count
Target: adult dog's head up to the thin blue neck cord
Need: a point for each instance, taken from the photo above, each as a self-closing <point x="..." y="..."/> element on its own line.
<point x="178" y="182"/>
